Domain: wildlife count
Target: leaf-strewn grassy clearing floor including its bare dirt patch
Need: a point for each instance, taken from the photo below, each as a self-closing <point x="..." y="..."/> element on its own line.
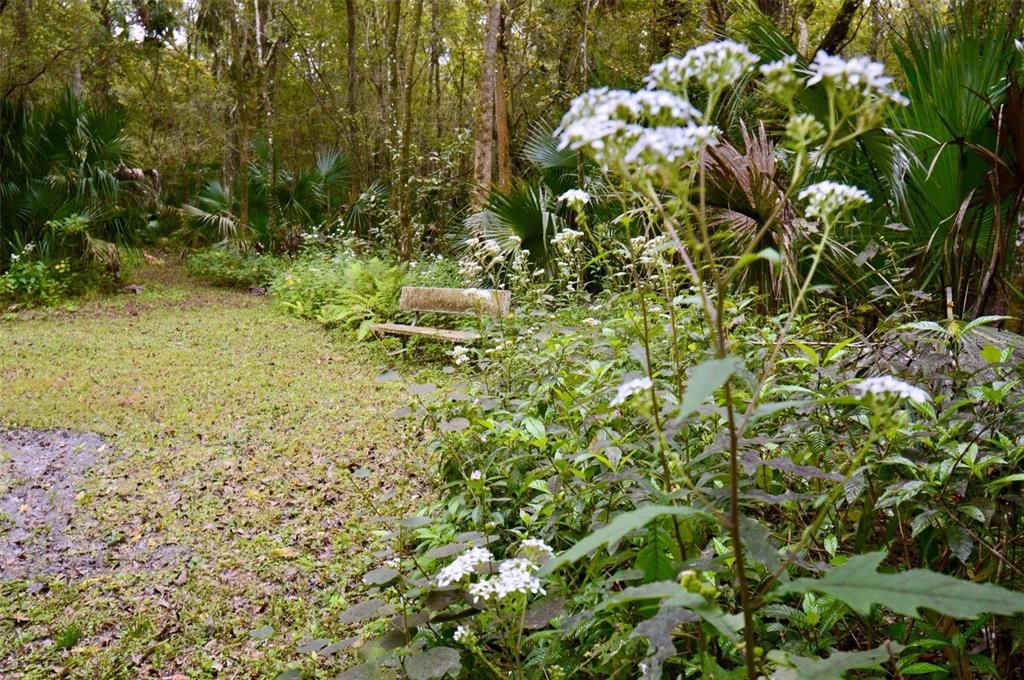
<point x="178" y="497"/>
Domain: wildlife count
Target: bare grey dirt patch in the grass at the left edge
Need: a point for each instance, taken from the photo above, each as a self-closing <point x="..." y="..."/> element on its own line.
<point x="40" y="531"/>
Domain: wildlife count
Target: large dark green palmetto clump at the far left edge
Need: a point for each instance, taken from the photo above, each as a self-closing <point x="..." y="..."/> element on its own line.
<point x="60" y="194"/>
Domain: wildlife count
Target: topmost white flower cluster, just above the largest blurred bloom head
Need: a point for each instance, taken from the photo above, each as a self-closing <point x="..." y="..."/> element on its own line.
<point x="715" y="65"/>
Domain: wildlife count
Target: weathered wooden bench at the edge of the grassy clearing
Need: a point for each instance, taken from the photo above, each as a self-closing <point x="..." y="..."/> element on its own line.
<point x="465" y="302"/>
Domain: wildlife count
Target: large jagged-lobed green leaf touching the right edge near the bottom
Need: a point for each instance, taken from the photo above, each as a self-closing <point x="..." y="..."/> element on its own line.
<point x="860" y="584"/>
